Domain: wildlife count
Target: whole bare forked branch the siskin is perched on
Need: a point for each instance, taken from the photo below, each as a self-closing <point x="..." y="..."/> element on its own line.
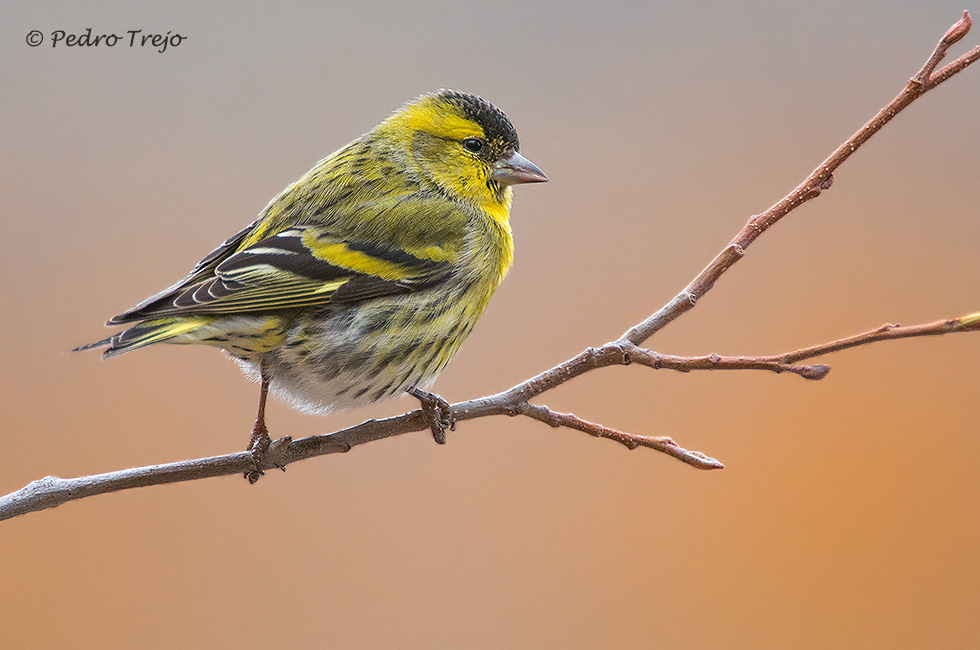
<point x="52" y="491"/>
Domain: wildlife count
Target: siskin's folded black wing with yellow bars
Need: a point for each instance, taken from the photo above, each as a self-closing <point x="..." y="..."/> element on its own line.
<point x="298" y="267"/>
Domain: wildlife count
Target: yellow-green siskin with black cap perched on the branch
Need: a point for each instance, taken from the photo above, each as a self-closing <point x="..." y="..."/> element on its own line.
<point x="361" y="280"/>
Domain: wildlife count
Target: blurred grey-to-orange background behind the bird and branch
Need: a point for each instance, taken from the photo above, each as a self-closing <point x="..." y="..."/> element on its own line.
<point x="848" y="514"/>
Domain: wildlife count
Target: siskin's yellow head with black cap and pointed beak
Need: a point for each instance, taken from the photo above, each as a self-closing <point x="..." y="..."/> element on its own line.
<point x="464" y="145"/>
